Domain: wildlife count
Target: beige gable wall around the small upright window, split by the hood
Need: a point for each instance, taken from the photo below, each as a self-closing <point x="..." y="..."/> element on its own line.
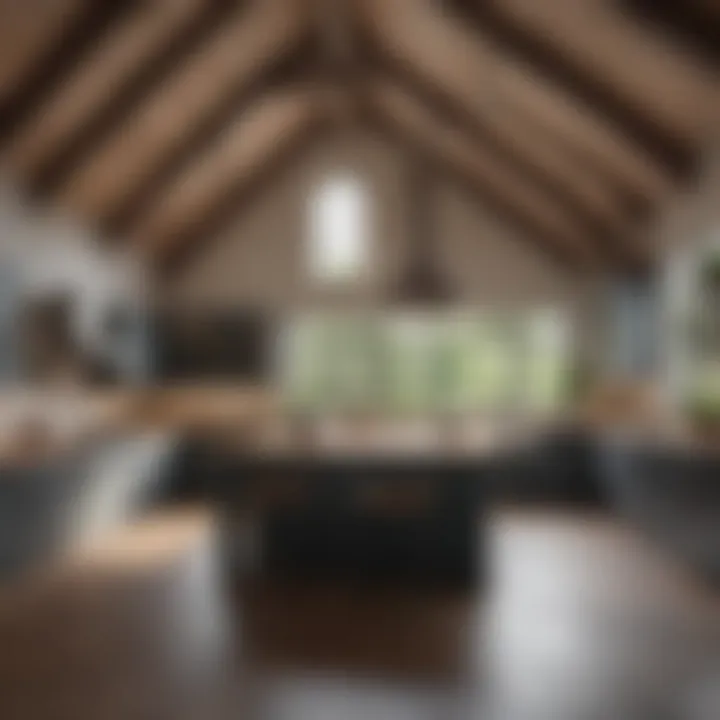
<point x="260" y="259"/>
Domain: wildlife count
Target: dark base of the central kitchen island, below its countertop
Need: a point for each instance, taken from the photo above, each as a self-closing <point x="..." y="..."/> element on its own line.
<point x="365" y="517"/>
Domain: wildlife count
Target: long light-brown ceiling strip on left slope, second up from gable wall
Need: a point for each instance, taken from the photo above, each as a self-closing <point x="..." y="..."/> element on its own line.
<point x="240" y="49"/>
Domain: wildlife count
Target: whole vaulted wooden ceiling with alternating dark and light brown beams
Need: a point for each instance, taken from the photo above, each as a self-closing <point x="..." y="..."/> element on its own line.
<point x="157" y="121"/>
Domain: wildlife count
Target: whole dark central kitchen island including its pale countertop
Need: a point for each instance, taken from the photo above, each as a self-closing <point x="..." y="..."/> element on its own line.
<point x="412" y="512"/>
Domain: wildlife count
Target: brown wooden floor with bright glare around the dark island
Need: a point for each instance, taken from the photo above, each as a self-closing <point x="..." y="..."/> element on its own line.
<point x="582" y="620"/>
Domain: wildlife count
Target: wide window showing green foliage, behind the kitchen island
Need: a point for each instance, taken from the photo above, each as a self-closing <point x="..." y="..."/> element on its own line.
<point x="427" y="362"/>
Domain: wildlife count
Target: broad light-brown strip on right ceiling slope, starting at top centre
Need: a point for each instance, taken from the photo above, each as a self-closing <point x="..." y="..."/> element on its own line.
<point x="508" y="91"/>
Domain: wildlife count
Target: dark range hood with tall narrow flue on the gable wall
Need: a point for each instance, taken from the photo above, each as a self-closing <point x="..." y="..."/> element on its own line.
<point x="421" y="281"/>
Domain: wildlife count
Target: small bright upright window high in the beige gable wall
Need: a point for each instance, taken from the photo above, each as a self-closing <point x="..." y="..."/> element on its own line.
<point x="338" y="247"/>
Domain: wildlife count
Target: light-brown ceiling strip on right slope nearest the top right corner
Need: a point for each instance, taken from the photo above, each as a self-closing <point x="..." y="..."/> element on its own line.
<point x="651" y="72"/>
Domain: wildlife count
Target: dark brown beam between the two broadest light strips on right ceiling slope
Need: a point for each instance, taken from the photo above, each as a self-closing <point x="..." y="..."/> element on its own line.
<point x="642" y="129"/>
